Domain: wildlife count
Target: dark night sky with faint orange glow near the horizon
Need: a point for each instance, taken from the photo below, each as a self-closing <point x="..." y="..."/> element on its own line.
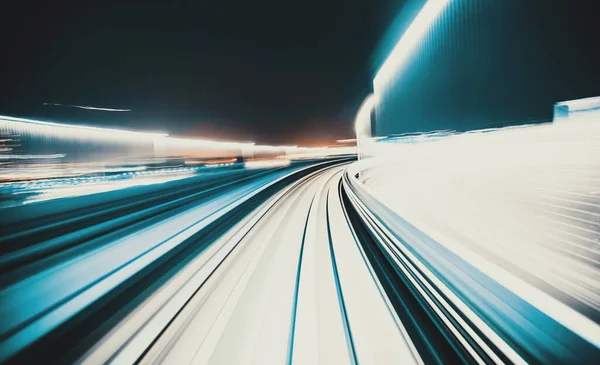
<point x="266" y="71"/>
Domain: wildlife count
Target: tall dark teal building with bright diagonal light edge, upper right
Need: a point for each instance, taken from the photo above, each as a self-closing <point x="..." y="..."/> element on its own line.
<point x="472" y="64"/>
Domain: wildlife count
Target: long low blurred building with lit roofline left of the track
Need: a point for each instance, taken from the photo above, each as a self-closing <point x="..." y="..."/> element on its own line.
<point x="32" y="143"/>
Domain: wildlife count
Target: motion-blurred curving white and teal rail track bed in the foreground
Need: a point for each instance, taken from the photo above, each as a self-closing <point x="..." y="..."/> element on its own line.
<point x="300" y="265"/>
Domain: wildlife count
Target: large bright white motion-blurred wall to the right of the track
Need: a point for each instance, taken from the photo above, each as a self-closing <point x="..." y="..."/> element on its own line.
<point x="446" y="188"/>
